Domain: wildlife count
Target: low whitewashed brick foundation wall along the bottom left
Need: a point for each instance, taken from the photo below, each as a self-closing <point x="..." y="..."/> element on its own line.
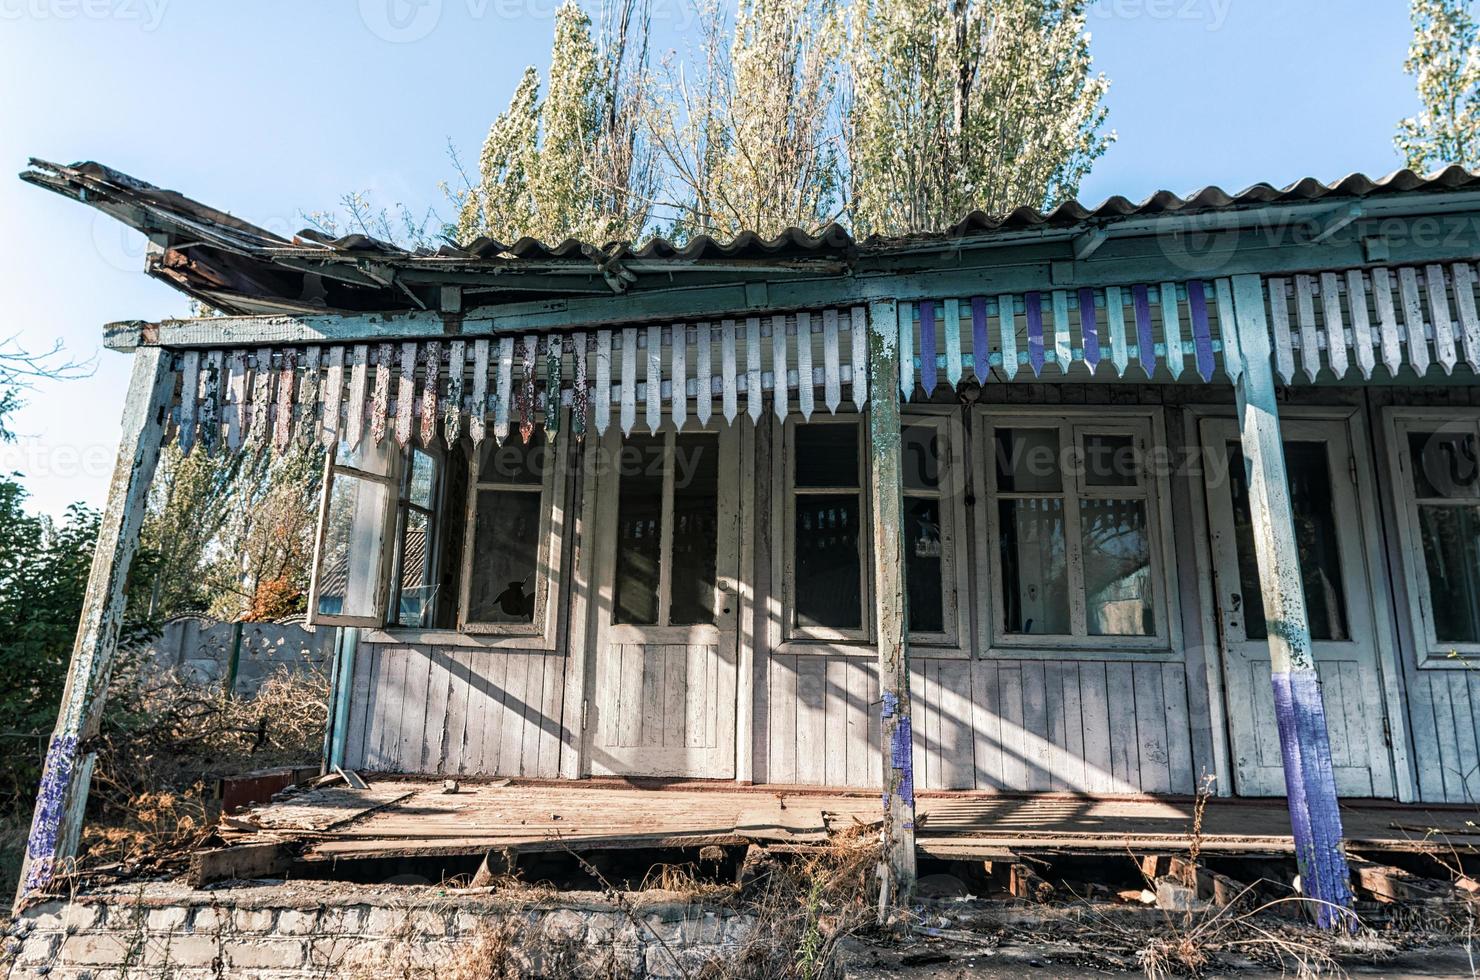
<point x="298" y="930"/>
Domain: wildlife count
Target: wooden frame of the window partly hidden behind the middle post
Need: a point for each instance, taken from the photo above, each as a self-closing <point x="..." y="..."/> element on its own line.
<point x="955" y="640"/>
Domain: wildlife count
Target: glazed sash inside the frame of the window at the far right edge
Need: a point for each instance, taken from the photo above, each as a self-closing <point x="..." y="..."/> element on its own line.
<point x="1439" y="488"/>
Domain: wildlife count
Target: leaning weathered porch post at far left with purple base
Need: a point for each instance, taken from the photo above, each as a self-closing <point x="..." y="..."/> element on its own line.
<point x="63" y="794"/>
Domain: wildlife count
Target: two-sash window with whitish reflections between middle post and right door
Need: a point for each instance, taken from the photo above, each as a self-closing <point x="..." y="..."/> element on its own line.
<point x="1075" y="532"/>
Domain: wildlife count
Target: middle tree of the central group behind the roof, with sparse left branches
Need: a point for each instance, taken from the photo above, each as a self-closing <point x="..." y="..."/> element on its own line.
<point x="754" y="141"/>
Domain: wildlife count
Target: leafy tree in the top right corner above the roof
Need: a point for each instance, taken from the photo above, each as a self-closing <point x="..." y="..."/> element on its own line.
<point x="1445" y="63"/>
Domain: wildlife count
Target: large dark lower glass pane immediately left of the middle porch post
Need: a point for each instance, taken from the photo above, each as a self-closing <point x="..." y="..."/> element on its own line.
<point x="830" y="571"/>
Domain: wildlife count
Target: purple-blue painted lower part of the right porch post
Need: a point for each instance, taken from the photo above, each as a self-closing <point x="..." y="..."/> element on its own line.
<point x="1311" y="787"/>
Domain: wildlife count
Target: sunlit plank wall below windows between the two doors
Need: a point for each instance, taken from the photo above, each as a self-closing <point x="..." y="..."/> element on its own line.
<point x="1074" y="726"/>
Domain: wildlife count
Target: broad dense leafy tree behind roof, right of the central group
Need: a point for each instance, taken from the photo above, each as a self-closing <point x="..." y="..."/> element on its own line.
<point x="970" y="104"/>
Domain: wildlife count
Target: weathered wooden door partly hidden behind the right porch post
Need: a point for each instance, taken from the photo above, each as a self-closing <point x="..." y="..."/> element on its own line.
<point x="1339" y="603"/>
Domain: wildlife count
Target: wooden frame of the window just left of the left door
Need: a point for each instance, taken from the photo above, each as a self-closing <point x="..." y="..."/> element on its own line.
<point x="539" y="633"/>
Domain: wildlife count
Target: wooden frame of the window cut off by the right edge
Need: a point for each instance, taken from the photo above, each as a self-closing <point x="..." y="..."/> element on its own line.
<point x="1399" y="421"/>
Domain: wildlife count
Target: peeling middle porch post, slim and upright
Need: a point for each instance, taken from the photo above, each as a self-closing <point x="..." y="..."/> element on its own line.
<point x="898" y="867"/>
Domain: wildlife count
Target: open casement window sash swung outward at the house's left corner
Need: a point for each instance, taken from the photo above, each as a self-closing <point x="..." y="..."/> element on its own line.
<point x="350" y="575"/>
